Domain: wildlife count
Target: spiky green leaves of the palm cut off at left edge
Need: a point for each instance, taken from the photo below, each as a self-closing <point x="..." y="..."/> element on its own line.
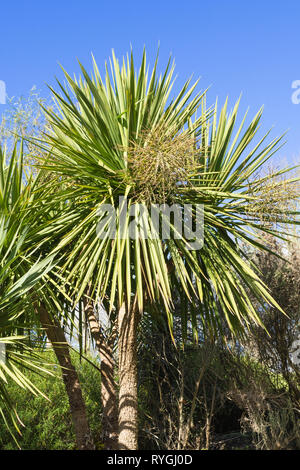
<point x="18" y="276"/>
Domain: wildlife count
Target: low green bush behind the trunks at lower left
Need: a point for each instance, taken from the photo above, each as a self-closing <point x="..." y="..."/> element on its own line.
<point x="48" y="424"/>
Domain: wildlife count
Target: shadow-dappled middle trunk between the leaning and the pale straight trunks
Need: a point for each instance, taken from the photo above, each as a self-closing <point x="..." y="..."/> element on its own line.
<point x="108" y="387"/>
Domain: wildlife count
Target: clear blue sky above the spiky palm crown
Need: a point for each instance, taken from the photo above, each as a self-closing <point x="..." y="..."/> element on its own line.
<point x="235" y="46"/>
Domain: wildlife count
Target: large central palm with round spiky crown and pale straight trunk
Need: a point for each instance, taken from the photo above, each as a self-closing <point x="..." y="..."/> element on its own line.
<point x="120" y="141"/>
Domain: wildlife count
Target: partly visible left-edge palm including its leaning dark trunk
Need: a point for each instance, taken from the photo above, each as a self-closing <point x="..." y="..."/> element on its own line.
<point x="36" y="305"/>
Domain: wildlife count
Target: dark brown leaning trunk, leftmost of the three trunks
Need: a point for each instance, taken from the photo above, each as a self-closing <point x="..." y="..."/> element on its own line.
<point x="57" y="338"/>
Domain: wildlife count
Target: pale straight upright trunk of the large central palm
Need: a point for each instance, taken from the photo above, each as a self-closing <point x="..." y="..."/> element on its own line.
<point x="128" y="393"/>
